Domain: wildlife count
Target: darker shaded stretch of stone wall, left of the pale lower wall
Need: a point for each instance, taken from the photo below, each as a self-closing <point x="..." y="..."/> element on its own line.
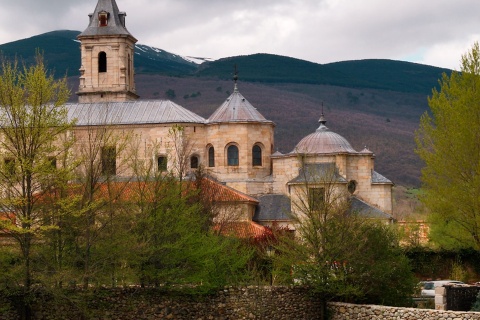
<point x="137" y="303"/>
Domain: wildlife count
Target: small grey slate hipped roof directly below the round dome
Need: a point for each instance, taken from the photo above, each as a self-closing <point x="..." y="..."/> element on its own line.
<point x="318" y="173"/>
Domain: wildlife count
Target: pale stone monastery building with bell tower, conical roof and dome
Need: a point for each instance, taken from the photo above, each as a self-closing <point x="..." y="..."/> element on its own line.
<point x="235" y="144"/>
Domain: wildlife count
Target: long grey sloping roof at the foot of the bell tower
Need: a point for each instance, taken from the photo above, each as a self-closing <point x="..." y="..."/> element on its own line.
<point x="131" y="112"/>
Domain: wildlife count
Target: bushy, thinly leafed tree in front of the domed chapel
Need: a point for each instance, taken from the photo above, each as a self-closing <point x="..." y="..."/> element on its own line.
<point x="338" y="252"/>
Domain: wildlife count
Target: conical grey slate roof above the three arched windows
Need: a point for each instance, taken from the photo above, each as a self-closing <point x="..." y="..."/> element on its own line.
<point x="237" y="109"/>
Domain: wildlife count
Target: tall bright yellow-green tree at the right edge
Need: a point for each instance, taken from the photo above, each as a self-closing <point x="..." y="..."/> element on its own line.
<point x="448" y="143"/>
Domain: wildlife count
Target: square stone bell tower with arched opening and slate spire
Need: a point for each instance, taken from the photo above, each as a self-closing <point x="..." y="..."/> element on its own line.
<point x="107" y="50"/>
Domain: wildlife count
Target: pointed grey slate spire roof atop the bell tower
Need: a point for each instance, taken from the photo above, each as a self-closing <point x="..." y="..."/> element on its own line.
<point x="116" y="21"/>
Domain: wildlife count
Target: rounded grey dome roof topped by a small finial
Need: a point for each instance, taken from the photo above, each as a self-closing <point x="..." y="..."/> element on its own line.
<point x="323" y="141"/>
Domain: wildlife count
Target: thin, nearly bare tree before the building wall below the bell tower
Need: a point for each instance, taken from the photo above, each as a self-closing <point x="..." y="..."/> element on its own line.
<point x="102" y="151"/>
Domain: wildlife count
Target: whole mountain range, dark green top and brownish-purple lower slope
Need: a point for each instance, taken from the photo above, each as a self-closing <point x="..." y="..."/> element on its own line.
<point x="374" y="103"/>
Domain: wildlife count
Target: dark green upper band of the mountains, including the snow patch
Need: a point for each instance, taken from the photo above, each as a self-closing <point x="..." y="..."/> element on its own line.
<point x="61" y="51"/>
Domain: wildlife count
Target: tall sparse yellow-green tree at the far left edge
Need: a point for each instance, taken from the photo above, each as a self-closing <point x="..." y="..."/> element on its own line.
<point x="34" y="134"/>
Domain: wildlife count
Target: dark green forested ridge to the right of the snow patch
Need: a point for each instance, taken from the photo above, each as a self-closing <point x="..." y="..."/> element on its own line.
<point x="379" y="74"/>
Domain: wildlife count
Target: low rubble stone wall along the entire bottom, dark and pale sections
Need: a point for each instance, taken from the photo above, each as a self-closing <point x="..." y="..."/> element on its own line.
<point x="282" y="303"/>
